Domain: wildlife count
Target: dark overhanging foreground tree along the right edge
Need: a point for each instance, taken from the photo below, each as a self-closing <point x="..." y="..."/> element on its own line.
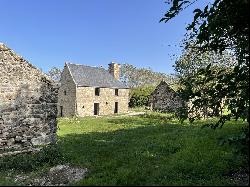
<point x="222" y="25"/>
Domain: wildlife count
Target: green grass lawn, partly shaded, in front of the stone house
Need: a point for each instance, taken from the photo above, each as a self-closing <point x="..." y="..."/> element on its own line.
<point x="151" y="149"/>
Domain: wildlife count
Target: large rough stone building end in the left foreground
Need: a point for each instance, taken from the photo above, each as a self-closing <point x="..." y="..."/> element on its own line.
<point x="28" y="104"/>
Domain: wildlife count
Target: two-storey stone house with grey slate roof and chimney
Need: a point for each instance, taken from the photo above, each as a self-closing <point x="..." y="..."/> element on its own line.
<point x="88" y="91"/>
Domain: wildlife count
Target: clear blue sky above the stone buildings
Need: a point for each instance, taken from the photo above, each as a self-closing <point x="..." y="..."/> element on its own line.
<point x="49" y="33"/>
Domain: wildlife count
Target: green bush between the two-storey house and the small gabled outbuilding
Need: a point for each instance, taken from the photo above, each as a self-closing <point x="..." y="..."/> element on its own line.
<point x="140" y="96"/>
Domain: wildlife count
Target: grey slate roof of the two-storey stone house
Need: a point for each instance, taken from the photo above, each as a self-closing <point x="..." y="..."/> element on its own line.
<point x="93" y="77"/>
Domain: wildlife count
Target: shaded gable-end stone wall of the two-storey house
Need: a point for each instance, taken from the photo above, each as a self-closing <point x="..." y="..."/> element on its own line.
<point x="67" y="94"/>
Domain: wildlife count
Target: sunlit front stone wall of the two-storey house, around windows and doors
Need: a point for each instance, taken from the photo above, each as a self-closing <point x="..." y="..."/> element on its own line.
<point x="86" y="98"/>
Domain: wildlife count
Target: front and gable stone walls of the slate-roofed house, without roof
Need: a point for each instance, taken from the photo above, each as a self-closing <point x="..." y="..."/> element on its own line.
<point x="79" y="101"/>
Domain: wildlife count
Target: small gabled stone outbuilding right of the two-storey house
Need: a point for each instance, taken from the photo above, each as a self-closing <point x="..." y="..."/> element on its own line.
<point x="164" y="98"/>
